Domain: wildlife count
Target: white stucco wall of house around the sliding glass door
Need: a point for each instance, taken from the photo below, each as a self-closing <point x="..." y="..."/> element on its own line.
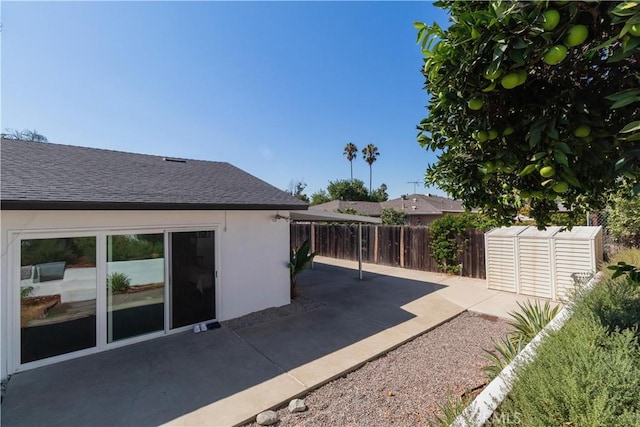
<point x="252" y="252"/>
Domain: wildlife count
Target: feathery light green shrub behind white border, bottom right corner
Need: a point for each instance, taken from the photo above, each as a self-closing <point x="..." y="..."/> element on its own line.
<point x="588" y="372"/>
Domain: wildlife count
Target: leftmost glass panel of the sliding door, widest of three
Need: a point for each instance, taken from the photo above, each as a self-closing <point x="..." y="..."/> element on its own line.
<point x="57" y="296"/>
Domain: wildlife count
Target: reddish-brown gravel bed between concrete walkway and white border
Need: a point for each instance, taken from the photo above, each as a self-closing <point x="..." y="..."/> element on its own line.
<point x="404" y="387"/>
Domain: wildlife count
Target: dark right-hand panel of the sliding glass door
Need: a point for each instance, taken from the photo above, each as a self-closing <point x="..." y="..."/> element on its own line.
<point x="192" y="285"/>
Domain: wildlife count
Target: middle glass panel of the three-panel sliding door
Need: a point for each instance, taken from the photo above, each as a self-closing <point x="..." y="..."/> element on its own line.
<point x="135" y="285"/>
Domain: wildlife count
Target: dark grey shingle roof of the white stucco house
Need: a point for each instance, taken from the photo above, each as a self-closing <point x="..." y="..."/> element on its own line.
<point x="37" y="175"/>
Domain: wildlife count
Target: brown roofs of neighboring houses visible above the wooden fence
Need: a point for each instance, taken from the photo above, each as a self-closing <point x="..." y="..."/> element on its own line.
<point x="425" y="204"/>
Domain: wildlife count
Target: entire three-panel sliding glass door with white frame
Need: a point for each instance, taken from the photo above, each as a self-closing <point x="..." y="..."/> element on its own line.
<point x="80" y="292"/>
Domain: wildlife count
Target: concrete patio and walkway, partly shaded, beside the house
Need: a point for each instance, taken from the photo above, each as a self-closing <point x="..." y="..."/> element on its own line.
<point x="224" y="377"/>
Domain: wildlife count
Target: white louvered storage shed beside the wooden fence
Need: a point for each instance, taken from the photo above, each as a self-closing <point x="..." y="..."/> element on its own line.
<point x="540" y="263"/>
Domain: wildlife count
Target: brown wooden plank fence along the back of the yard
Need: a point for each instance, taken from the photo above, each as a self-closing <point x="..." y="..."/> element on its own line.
<point x="399" y="246"/>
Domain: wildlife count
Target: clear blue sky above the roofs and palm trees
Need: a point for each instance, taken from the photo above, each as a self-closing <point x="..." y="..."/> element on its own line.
<point x="275" y="88"/>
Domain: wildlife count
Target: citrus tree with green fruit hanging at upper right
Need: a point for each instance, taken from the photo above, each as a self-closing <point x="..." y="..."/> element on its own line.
<point x="533" y="103"/>
